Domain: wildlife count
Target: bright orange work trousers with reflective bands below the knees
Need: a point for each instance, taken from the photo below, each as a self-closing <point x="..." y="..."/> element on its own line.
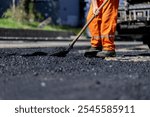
<point x="103" y="27"/>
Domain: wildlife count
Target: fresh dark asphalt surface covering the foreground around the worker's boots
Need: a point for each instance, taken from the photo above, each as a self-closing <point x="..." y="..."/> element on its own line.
<point x="31" y="73"/>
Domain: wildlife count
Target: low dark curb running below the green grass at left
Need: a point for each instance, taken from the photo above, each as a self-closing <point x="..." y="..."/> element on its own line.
<point x="28" y="34"/>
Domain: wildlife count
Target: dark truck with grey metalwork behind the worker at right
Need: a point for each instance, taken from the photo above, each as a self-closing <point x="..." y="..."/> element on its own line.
<point x="134" y="20"/>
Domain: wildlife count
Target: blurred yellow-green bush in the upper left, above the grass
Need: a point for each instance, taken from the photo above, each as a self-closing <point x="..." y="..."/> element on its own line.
<point x="24" y="11"/>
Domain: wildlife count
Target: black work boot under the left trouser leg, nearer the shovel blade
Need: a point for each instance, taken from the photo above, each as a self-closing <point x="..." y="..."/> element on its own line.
<point x="92" y="51"/>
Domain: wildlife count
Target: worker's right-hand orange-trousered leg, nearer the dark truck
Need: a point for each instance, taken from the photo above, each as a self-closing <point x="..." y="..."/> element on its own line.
<point x="108" y="24"/>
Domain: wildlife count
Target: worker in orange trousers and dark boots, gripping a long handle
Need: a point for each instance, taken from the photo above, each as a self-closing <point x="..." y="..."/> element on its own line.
<point x="103" y="28"/>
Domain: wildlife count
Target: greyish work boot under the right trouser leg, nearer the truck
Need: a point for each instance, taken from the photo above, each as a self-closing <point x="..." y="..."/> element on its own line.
<point x="105" y="53"/>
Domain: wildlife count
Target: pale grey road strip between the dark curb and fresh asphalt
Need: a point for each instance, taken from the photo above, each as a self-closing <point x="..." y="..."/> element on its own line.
<point x="56" y="43"/>
